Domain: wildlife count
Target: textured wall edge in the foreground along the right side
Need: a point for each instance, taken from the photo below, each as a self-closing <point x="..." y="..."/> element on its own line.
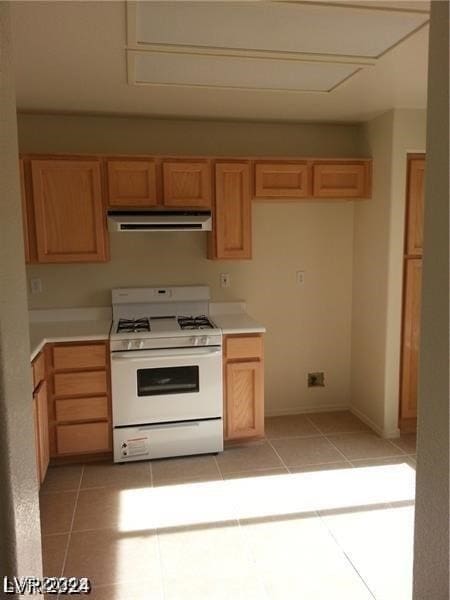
<point x="431" y="556"/>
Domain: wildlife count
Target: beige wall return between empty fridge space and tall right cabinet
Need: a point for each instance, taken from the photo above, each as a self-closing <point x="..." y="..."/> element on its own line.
<point x="378" y="270"/>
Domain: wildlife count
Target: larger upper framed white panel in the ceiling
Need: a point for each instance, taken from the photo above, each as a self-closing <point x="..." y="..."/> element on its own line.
<point x="305" y="28"/>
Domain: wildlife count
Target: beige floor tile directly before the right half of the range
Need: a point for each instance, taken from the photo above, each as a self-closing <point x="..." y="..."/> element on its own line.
<point x="190" y="468"/>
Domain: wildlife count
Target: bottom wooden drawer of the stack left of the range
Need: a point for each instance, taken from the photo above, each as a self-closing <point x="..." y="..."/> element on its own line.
<point x="88" y="437"/>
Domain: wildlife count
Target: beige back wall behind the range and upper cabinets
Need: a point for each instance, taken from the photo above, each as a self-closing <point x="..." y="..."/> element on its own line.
<point x="312" y="322"/>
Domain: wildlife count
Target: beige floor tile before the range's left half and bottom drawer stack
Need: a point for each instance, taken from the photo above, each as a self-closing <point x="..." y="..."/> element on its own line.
<point x="129" y="475"/>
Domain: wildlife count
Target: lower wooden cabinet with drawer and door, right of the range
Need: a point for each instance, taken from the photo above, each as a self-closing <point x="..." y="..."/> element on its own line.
<point x="243" y="386"/>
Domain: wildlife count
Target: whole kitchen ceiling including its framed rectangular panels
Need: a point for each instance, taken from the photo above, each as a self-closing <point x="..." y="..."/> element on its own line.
<point x="252" y="60"/>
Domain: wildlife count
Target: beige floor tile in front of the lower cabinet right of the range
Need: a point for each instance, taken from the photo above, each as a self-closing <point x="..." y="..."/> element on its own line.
<point x="245" y="458"/>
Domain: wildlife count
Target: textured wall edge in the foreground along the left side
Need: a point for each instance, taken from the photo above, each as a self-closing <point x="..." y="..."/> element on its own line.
<point x="20" y="549"/>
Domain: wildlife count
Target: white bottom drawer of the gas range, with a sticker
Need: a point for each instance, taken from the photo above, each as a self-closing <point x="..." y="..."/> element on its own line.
<point x="169" y="439"/>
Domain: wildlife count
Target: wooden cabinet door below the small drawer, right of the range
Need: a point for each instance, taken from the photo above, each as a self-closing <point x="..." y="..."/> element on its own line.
<point x="244" y="399"/>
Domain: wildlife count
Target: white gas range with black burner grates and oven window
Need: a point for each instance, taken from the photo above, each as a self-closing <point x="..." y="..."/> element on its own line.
<point x="166" y="372"/>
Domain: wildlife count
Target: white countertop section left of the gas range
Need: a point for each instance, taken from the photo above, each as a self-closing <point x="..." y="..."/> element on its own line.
<point x="42" y="333"/>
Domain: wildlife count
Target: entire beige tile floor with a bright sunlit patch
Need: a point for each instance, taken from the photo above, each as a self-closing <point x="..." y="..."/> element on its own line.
<point x="320" y="509"/>
